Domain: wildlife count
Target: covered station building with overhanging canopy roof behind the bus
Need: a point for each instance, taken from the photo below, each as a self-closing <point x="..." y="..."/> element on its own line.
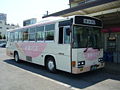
<point x="109" y="12"/>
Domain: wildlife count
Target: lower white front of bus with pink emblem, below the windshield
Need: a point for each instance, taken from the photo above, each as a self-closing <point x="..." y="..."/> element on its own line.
<point x="90" y="58"/>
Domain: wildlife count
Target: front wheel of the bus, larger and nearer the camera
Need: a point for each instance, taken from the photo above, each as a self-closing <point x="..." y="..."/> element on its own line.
<point x="51" y="65"/>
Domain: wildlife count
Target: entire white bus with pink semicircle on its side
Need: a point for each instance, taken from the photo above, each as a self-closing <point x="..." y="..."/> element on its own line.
<point x="71" y="44"/>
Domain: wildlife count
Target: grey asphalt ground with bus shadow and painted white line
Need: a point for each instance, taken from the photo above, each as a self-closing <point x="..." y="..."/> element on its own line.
<point x="27" y="76"/>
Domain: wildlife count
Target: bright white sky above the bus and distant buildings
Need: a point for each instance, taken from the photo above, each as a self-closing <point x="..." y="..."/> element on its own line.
<point x="19" y="10"/>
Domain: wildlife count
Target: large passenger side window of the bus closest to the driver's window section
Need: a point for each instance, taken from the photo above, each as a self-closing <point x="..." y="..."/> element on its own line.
<point x="49" y="32"/>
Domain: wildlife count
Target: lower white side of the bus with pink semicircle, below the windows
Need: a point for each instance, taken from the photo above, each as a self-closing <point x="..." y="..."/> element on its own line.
<point x="31" y="52"/>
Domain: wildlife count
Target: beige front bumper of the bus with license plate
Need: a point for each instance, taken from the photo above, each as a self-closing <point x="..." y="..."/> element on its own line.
<point x="83" y="69"/>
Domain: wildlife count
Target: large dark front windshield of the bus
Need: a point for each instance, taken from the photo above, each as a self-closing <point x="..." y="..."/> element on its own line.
<point x="85" y="37"/>
